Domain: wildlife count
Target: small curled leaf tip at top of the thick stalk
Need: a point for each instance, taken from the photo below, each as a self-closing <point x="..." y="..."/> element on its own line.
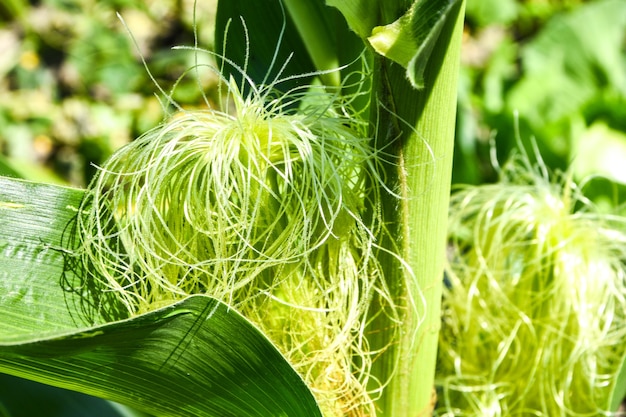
<point x="410" y="40"/>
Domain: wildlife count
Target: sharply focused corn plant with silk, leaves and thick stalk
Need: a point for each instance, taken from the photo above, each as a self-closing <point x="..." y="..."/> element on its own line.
<point x="280" y="255"/>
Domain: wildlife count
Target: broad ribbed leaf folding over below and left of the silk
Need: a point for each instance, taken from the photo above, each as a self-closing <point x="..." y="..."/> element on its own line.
<point x="193" y="358"/>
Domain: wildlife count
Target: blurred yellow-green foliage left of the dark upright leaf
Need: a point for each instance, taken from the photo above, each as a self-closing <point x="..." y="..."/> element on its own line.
<point x="73" y="87"/>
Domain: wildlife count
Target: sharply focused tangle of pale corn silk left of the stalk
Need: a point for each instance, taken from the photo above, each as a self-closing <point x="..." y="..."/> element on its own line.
<point x="258" y="203"/>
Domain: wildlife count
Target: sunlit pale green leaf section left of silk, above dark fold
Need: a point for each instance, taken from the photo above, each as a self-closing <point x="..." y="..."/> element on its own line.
<point x="33" y="218"/>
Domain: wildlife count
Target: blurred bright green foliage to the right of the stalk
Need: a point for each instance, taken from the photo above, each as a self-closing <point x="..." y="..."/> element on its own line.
<point x="555" y="68"/>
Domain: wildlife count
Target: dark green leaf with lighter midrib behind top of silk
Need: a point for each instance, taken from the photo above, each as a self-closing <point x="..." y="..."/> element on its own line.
<point x="315" y="40"/>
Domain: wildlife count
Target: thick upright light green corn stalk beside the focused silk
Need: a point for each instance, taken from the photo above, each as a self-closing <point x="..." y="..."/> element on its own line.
<point x="416" y="222"/>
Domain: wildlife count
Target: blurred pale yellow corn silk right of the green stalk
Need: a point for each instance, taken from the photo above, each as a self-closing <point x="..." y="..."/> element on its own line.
<point x="534" y="307"/>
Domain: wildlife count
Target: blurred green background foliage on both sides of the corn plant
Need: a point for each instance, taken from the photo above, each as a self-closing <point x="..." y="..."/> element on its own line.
<point x="73" y="87"/>
